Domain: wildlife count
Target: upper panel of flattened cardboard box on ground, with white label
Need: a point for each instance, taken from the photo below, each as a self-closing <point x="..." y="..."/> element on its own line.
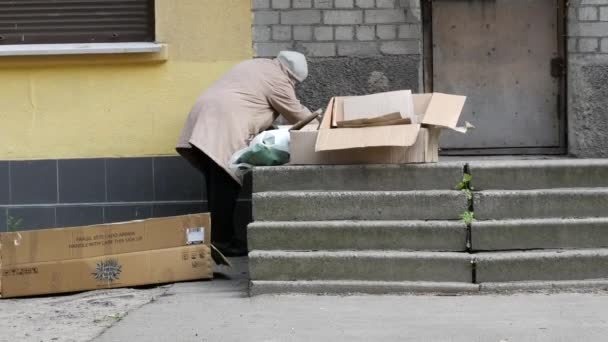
<point x="104" y="239"/>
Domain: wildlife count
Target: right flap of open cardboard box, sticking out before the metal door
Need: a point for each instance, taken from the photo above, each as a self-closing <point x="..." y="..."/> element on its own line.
<point x="444" y="110"/>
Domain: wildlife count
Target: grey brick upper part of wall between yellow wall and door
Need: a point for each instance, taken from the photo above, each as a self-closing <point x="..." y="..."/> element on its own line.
<point x="329" y="28"/>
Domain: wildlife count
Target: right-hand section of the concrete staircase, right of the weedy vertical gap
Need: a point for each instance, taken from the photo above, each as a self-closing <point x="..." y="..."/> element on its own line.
<point x="540" y="224"/>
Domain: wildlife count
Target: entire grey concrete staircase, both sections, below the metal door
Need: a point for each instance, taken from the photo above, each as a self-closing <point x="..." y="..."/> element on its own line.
<point x="396" y="228"/>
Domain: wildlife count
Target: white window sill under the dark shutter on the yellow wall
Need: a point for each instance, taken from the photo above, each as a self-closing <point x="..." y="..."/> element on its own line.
<point x="82" y="54"/>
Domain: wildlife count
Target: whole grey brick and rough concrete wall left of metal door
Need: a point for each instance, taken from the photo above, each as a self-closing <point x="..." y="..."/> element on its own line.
<point x="354" y="46"/>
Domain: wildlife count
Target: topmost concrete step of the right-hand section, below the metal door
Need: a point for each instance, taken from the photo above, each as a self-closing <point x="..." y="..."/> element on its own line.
<point x="539" y="174"/>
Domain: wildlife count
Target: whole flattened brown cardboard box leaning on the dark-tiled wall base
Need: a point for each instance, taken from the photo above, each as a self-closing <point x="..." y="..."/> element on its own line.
<point x="71" y="259"/>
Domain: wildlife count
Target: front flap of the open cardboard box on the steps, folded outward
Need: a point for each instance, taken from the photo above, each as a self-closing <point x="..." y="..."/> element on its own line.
<point x="346" y="138"/>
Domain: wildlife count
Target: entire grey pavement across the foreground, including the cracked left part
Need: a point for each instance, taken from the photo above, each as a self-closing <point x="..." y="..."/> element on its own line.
<point x="220" y="310"/>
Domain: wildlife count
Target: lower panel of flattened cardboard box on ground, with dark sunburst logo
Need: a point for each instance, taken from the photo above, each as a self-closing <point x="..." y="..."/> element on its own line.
<point x="111" y="271"/>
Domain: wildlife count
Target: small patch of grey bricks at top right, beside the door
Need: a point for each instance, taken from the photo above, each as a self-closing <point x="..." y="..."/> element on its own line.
<point x="588" y="27"/>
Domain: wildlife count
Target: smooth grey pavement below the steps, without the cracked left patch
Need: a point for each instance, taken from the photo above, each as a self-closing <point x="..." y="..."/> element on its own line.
<point x="220" y="310"/>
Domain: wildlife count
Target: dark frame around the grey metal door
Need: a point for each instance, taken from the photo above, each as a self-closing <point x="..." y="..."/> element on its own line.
<point x="427" y="80"/>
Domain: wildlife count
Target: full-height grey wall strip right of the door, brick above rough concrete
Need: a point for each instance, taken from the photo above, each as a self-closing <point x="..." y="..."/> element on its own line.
<point x="588" y="78"/>
